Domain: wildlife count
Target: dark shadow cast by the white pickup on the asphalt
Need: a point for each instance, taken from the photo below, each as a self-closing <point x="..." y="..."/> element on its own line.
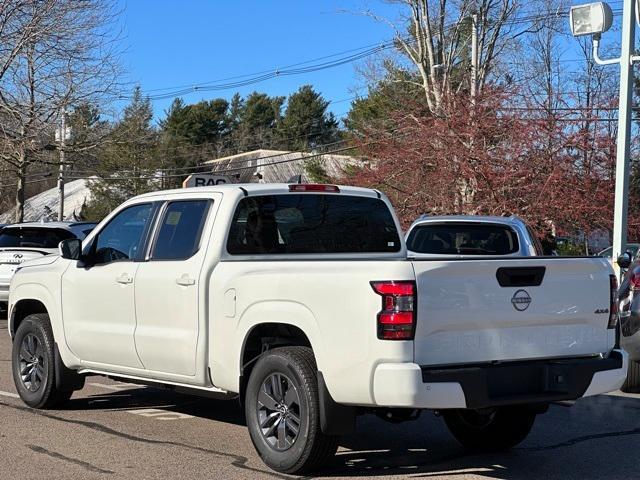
<point x="597" y="438"/>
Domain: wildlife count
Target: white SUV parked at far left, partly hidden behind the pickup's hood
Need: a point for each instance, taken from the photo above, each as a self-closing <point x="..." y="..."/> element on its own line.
<point x="23" y="241"/>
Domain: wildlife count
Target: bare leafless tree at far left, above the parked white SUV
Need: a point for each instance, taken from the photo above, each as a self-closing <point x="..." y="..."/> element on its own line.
<point x="69" y="57"/>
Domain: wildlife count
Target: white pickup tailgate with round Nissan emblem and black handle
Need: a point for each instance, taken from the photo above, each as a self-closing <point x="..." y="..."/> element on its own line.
<point x="474" y="311"/>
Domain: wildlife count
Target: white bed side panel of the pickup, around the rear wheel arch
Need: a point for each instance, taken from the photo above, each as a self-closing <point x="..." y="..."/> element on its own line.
<point x="332" y="302"/>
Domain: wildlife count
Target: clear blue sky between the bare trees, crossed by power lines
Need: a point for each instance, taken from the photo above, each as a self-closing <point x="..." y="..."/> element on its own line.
<point x="171" y="43"/>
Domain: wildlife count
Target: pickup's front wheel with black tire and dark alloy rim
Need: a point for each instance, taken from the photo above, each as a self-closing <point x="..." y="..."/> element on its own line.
<point x="33" y="363"/>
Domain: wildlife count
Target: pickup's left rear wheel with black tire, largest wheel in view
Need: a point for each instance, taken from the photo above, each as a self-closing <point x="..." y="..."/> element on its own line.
<point x="289" y="378"/>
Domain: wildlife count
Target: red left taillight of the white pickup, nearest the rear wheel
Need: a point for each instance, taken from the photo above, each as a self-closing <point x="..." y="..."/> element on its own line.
<point x="396" y="320"/>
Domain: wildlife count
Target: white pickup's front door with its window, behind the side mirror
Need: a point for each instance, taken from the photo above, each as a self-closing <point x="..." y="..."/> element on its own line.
<point x="98" y="300"/>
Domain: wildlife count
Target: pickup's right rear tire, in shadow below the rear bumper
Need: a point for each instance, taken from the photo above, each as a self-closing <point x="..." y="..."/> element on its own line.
<point x="496" y="430"/>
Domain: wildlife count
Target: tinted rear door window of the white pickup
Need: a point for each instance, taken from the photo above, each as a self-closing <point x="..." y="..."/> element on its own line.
<point x="180" y="230"/>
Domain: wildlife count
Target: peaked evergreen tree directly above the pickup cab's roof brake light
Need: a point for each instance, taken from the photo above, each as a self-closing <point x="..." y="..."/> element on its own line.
<point x="306" y="124"/>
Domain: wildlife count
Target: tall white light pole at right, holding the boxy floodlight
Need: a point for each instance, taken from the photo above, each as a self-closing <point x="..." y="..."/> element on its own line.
<point x="624" y="132"/>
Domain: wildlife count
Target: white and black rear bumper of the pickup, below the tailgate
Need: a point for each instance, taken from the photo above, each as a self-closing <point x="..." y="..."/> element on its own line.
<point x="492" y="385"/>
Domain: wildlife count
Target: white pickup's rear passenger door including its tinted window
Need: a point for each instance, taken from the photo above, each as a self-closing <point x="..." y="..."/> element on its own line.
<point x="167" y="289"/>
